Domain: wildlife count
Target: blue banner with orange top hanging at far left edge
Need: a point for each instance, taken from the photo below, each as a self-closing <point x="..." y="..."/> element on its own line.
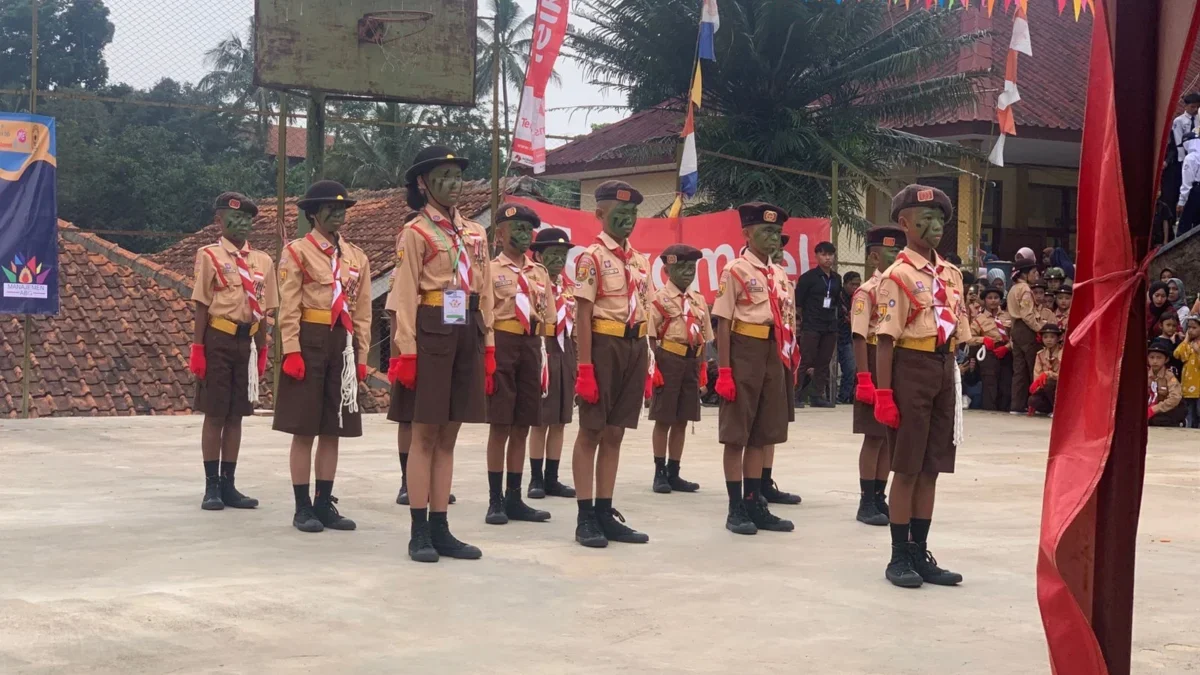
<point x="29" y="235"/>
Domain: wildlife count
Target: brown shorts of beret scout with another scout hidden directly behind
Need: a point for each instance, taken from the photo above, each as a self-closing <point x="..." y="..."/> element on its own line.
<point x="758" y="416"/>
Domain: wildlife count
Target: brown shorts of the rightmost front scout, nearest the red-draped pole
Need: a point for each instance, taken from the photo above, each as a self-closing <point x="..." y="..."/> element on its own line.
<point x="923" y="386"/>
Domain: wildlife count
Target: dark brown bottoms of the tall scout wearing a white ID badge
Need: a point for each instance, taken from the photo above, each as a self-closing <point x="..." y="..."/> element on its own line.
<point x="449" y="373"/>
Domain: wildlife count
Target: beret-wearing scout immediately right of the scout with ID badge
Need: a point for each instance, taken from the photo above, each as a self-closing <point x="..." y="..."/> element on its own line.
<point x="520" y="288"/>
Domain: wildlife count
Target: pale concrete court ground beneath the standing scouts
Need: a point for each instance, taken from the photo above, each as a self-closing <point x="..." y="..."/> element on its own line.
<point x="110" y="565"/>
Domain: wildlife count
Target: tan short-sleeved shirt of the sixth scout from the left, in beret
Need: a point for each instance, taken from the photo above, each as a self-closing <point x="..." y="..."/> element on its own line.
<point x="601" y="279"/>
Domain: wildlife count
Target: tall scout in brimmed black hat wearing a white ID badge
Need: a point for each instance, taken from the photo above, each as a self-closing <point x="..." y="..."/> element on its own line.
<point x="442" y="341"/>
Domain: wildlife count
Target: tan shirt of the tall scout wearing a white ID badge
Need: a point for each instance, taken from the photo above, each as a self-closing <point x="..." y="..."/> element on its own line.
<point x="427" y="261"/>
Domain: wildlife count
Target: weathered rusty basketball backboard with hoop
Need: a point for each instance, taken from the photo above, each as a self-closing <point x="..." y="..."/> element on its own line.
<point x="409" y="51"/>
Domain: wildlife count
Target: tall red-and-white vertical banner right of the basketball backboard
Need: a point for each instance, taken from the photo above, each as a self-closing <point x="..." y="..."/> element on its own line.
<point x="549" y="32"/>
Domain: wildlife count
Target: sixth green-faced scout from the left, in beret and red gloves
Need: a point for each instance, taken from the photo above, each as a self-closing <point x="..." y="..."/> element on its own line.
<point x="613" y="373"/>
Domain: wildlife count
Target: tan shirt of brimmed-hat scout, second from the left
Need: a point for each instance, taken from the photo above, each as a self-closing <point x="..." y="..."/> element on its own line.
<point x="307" y="282"/>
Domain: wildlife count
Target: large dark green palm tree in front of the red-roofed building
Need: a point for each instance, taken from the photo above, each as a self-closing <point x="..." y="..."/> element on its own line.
<point x="795" y="85"/>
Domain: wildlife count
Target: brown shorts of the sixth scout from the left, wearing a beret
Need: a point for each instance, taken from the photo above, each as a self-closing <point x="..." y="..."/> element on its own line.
<point x="621" y="377"/>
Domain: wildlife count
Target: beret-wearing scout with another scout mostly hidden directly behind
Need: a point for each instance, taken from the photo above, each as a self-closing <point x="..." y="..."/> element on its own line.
<point x="753" y="368"/>
